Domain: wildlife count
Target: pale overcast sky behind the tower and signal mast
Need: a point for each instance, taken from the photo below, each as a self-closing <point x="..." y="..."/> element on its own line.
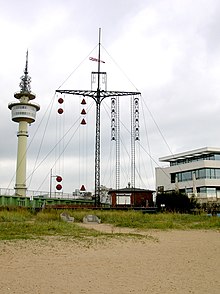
<point x="169" y="50"/>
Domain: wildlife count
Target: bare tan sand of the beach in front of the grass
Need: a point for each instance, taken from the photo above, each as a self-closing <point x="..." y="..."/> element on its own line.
<point x="165" y="262"/>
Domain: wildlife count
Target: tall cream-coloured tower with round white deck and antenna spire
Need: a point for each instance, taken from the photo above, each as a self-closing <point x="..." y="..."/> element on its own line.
<point x="24" y="113"/>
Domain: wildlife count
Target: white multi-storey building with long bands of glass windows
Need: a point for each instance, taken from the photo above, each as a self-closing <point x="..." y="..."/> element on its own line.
<point x="196" y="172"/>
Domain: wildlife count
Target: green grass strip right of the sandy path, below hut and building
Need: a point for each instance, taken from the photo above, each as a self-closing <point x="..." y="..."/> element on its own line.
<point x="161" y="221"/>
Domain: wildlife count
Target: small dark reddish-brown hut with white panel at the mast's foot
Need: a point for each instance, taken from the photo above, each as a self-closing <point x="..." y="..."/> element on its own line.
<point x="131" y="197"/>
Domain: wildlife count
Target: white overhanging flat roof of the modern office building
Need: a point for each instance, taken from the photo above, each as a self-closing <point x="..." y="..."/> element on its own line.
<point x="189" y="154"/>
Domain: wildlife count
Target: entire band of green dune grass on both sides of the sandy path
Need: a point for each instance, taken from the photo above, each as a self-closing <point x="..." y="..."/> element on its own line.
<point x="23" y="224"/>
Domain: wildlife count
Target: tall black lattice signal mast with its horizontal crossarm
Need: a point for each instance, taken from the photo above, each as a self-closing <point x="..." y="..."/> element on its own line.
<point x="98" y="96"/>
